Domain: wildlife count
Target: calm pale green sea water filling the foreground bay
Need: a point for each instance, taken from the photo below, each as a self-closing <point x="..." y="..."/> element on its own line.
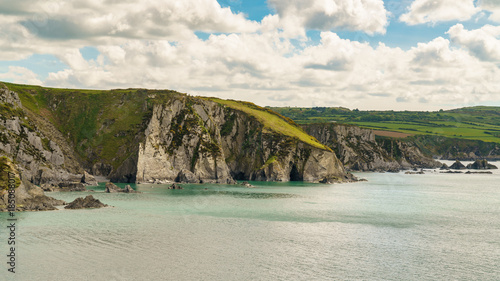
<point x="393" y="227"/>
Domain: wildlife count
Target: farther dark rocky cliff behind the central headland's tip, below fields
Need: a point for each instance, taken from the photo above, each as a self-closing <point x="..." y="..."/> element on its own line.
<point x="358" y="149"/>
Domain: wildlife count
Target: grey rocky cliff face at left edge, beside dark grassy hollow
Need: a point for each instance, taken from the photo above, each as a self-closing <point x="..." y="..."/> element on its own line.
<point x="34" y="143"/>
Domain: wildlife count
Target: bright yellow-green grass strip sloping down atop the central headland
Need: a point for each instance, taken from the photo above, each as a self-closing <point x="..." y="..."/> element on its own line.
<point x="272" y="121"/>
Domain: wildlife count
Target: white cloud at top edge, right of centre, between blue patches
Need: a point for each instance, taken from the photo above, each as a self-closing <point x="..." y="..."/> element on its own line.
<point x="295" y="16"/>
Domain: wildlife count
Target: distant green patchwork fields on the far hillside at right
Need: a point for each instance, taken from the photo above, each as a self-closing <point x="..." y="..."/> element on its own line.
<point x="474" y="123"/>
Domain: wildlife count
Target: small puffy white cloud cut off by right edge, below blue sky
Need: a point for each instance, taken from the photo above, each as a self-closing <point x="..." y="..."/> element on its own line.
<point x="483" y="43"/>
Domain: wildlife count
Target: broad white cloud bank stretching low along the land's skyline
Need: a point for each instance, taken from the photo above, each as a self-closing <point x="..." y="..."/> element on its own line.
<point x="259" y="68"/>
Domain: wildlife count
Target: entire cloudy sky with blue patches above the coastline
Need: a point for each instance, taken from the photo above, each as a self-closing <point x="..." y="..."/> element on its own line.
<point x="365" y="54"/>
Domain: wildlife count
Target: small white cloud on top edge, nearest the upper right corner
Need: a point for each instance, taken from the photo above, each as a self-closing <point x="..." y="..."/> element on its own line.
<point x="432" y="11"/>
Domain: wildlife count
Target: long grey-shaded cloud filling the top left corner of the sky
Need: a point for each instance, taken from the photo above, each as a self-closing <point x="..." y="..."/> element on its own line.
<point x="64" y="20"/>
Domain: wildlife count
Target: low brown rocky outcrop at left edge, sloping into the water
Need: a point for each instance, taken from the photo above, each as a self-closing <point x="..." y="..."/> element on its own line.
<point x="28" y="197"/>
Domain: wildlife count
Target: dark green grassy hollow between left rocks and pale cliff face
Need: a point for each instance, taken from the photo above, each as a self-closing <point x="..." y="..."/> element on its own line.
<point x="101" y="122"/>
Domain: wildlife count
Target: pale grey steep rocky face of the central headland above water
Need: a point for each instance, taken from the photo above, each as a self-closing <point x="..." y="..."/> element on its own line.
<point x="203" y="141"/>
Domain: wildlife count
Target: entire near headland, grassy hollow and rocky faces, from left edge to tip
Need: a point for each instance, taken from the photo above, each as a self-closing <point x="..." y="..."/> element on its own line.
<point x="138" y="135"/>
